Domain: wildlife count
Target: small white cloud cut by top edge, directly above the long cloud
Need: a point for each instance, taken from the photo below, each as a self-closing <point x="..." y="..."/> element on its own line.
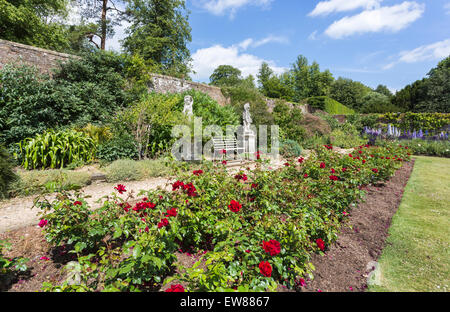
<point x="328" y="7"/>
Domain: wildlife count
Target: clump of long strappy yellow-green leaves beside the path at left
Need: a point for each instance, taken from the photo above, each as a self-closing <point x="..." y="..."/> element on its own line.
<point x="54" y="149"/>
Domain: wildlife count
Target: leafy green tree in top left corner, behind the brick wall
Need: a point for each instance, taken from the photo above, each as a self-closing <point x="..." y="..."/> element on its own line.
<point x="34" y="22"/>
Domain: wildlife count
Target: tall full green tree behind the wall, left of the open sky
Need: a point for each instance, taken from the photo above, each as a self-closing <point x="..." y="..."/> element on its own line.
<point x="159" y="32"/>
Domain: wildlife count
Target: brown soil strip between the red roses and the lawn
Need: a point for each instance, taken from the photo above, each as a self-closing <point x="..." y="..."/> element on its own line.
<point x="347" y="264"/>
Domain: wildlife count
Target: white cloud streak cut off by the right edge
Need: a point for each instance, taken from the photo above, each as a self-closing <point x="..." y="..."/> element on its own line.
<point x="435" y="51"/>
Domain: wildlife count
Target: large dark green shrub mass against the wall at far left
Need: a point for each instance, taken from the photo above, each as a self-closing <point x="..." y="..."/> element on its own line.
<point x="87" y="90"/>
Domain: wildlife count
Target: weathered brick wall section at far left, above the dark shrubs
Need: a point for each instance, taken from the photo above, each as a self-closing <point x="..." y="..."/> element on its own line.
<point x="44" y="60"/>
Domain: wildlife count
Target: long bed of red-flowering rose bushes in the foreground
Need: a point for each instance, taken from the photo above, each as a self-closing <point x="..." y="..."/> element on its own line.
<point x="252" y="231"/>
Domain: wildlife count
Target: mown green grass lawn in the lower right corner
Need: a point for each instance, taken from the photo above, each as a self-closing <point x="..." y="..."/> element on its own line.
<point x="417" y="252"/>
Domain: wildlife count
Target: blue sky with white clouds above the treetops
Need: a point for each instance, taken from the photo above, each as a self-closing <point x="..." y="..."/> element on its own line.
<point x="390" y="42"/>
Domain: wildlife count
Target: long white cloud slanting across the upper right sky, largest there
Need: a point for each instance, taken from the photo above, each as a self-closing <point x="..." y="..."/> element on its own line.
<point x="392" y="18"/>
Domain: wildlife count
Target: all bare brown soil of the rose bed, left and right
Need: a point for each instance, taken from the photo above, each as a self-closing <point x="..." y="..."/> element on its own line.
<point x="343" y="268"/>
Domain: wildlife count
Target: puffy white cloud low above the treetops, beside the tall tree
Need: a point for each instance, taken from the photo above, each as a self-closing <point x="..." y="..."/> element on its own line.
<point x="206" y="60"/>
